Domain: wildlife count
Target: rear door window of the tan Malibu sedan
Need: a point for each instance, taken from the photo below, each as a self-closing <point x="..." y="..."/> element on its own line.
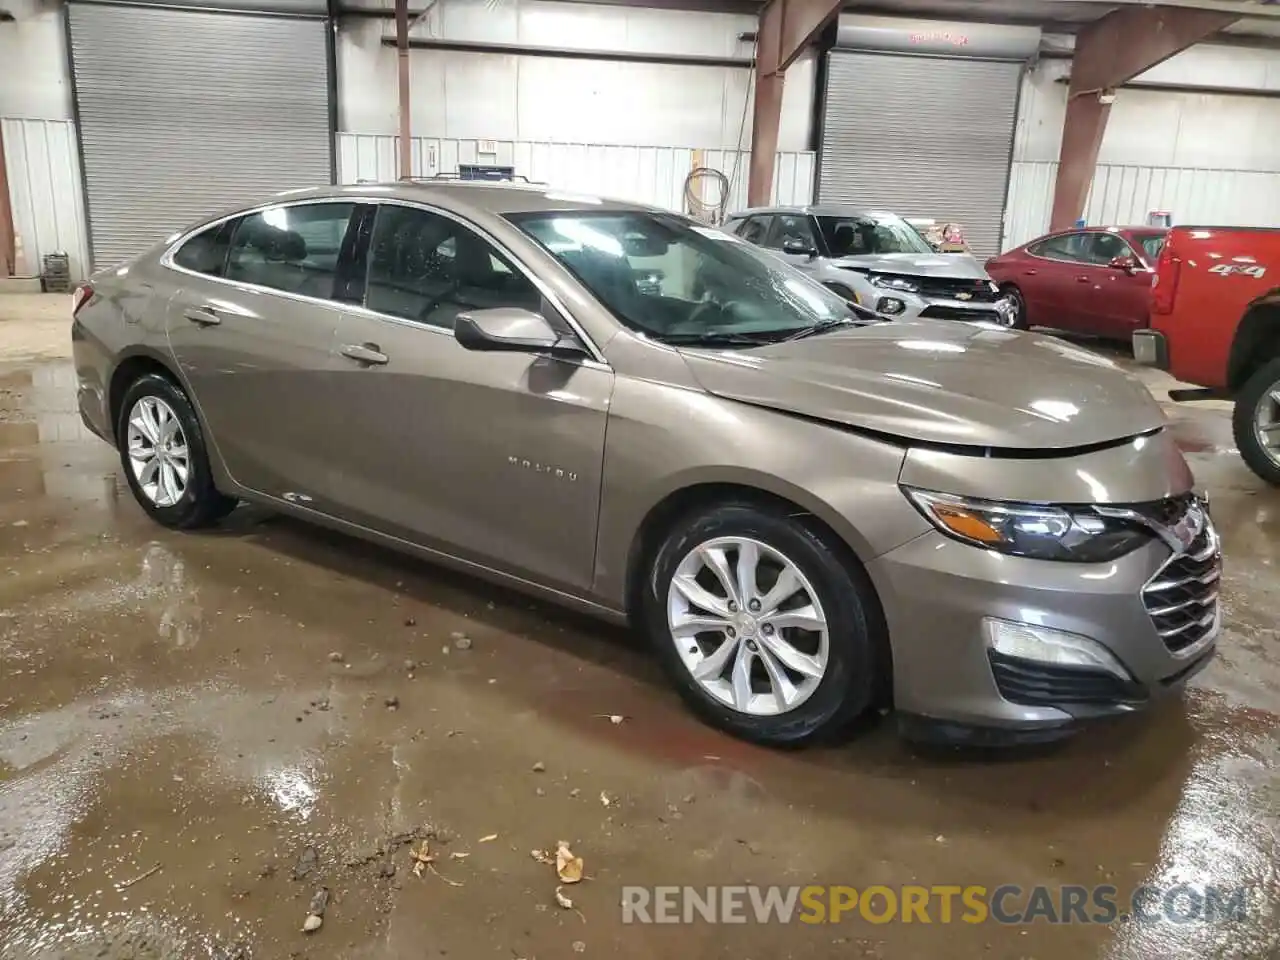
<point x="291" y="249"/>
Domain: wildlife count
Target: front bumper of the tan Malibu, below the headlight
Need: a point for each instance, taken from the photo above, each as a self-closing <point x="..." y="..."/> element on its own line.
<point x="938" y="593"/>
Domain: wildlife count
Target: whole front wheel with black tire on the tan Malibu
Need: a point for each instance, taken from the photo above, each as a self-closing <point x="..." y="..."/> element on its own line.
<point x="856" y="665"/>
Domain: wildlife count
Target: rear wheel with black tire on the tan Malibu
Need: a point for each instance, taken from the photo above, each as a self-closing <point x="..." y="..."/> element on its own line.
<point x="199" y="502"/>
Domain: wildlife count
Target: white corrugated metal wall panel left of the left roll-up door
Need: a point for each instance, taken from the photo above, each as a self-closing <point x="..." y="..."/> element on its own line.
<point x="45" y="191"/>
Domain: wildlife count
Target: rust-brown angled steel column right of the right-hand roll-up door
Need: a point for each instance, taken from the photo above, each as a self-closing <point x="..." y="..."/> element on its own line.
<point x="1112" y="52"/>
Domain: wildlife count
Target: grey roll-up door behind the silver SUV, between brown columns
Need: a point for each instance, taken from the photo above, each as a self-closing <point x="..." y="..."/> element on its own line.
<point x="921" y="136"/>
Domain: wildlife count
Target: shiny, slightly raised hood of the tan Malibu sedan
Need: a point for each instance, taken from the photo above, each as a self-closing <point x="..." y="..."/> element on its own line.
<point x="934" y="382"/>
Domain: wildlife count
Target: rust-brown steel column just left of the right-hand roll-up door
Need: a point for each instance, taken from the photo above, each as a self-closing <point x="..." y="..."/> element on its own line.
<point x="787" y="29"/>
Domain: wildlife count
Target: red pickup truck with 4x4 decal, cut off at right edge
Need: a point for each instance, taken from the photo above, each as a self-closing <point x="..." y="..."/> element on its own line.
<point x="1215" y="322"/>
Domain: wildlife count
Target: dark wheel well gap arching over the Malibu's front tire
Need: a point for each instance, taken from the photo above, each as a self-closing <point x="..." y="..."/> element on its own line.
<point x="659" y="522"/>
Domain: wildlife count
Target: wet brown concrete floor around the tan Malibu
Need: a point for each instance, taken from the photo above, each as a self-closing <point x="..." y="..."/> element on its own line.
<point x="195" y="737"/>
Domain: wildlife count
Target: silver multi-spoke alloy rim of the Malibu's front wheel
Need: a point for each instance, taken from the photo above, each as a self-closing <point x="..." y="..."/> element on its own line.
<point x="748" y="625"/>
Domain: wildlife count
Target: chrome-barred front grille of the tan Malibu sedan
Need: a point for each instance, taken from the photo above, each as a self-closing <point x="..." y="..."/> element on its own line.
<point x="1183" y="597"/>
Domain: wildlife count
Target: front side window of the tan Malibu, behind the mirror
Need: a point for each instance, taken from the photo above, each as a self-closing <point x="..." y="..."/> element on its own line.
<point x="428" y="268"/>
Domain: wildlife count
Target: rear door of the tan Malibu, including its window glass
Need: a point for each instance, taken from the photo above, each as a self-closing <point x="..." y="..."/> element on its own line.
<point x="252" y="330"/>
